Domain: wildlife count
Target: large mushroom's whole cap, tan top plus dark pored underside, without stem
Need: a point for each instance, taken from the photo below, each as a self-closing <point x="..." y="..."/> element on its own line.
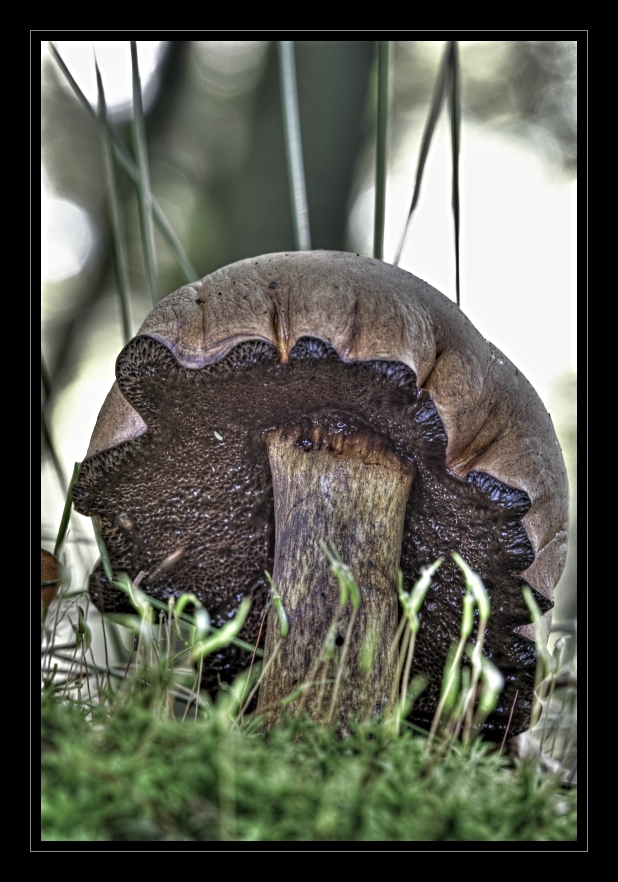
<point x="263" y="343"/>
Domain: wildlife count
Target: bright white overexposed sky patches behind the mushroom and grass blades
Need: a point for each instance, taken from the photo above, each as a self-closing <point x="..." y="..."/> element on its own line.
<point x="517" y="250"/>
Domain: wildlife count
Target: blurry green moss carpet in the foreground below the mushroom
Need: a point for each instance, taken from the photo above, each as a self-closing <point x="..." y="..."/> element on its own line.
<point x="127" y="777"/>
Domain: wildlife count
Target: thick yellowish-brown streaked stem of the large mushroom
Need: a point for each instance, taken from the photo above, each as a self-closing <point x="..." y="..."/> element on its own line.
<point x="349" y="489"/>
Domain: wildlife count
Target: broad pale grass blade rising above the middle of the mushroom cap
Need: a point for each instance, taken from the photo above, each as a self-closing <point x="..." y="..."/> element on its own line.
<point x="293" y="145"/>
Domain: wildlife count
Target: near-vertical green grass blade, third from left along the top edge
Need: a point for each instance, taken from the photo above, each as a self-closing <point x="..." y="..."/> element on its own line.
<point x="144" y="197"/>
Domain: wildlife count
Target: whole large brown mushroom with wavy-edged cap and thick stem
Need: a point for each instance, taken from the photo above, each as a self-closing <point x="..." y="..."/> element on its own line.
<point x="293" y="398"/>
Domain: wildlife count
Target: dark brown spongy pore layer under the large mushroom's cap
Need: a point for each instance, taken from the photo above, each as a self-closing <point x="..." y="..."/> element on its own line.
<point x="199" y="480"/>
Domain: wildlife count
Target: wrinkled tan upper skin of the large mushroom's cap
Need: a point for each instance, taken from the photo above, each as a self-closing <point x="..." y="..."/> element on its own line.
<point x="498" y="437"/>
